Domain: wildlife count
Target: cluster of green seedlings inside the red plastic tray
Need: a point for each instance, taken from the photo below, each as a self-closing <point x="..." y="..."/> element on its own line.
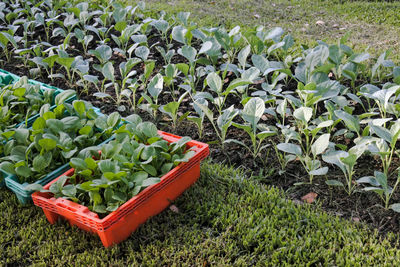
<point x="125" y="167"/>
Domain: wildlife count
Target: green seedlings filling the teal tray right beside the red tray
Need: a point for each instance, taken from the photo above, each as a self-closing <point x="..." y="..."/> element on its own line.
<point x="54" y="138"/>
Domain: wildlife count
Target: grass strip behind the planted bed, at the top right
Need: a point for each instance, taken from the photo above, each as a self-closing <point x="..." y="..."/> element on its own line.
<point x="371" y="25"/>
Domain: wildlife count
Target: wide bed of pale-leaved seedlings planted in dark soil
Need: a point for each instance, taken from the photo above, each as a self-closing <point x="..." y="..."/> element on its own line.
<point x="320" y="107"/>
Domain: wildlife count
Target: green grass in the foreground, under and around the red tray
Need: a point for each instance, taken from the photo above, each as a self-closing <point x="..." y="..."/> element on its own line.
<point x="223" y="220"/>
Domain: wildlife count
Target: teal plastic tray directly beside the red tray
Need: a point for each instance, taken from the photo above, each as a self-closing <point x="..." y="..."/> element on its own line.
<point x="23" y="195"/>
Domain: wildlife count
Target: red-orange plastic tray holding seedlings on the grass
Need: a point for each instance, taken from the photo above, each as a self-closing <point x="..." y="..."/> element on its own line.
<point x="118" y="225"/>
